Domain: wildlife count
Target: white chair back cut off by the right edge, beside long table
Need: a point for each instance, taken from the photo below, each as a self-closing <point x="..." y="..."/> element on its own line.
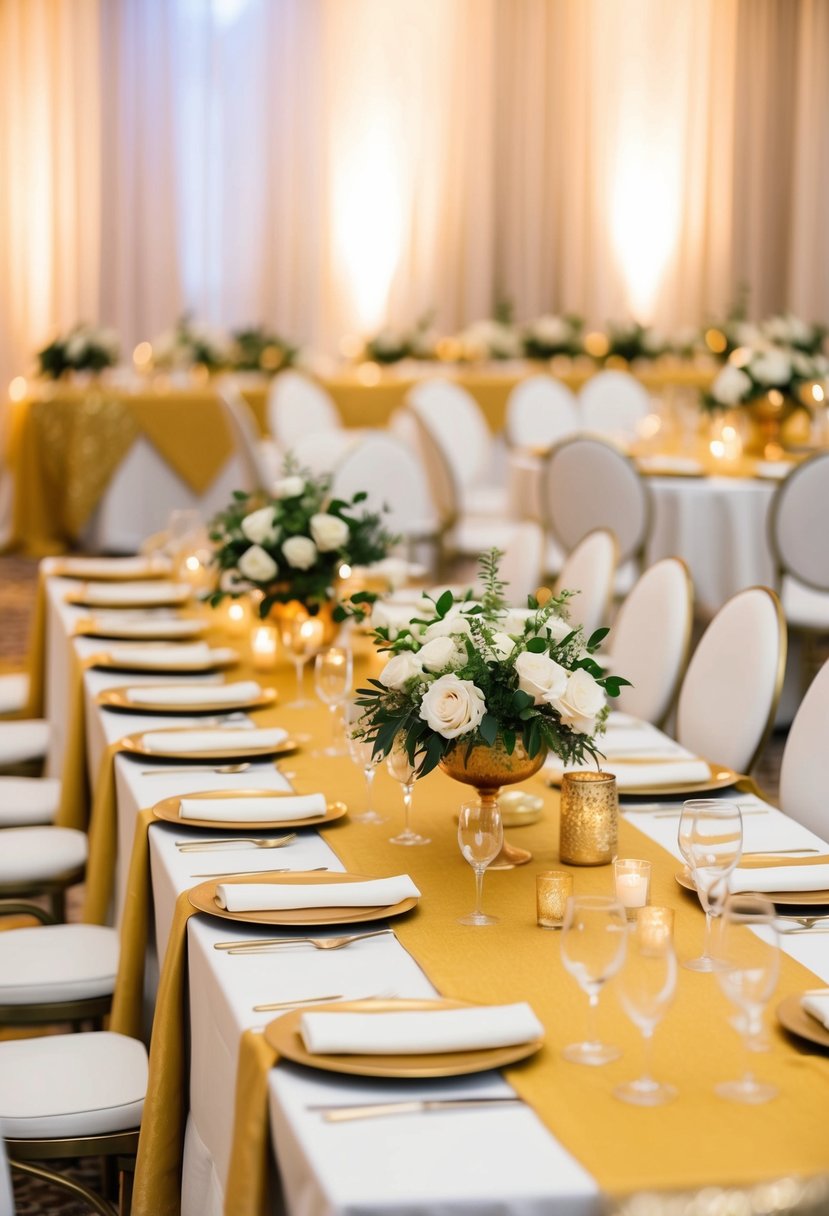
<point x="805" y="769"/>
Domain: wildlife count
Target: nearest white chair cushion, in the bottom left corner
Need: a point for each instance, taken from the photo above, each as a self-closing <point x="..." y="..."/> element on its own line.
<point x="72" y="1085"/>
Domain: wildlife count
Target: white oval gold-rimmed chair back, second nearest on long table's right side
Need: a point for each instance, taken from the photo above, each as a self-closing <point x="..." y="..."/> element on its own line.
<point x="732" y="686"/>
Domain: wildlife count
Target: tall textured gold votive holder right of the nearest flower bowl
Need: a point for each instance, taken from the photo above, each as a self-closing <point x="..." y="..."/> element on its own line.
<point x="589" y="819"/>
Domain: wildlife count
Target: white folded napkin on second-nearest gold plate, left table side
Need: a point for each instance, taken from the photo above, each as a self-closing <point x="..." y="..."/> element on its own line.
<point x="285" y="897"/>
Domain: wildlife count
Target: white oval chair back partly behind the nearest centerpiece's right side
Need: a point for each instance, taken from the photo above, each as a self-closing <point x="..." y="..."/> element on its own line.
<point x="651" y="640"/>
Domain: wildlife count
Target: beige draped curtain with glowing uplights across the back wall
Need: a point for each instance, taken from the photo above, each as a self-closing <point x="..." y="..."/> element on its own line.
<point x="325" y="166"/>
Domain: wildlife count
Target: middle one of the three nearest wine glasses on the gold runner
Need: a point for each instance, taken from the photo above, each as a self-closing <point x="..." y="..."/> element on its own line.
<point x="647" y="984"/>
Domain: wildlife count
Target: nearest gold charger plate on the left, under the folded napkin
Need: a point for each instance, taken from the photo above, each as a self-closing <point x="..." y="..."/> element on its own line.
<point x="284" y="1035"/>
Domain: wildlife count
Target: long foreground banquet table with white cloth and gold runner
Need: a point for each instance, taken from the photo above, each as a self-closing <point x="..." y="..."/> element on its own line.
<point x="569" y="1142"/>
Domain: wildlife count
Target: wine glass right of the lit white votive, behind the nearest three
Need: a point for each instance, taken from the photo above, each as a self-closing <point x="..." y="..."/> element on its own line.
<point x="710" y="838"/>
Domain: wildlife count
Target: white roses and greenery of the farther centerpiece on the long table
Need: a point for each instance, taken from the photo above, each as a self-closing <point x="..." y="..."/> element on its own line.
<point x="291" y="547"/>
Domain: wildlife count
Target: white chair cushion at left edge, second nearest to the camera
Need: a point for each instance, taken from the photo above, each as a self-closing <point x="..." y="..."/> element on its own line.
<point x="58" y="962"/>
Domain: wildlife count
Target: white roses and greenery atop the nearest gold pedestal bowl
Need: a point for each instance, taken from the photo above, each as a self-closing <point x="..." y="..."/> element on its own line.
<point x="467" y="674"/>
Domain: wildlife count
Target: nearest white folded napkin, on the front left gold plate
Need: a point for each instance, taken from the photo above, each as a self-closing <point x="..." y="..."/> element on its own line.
<point x="419" y="1033"/>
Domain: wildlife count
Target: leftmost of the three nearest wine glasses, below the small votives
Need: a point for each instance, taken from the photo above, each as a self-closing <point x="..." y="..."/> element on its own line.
<point x="594" y="943"/>
